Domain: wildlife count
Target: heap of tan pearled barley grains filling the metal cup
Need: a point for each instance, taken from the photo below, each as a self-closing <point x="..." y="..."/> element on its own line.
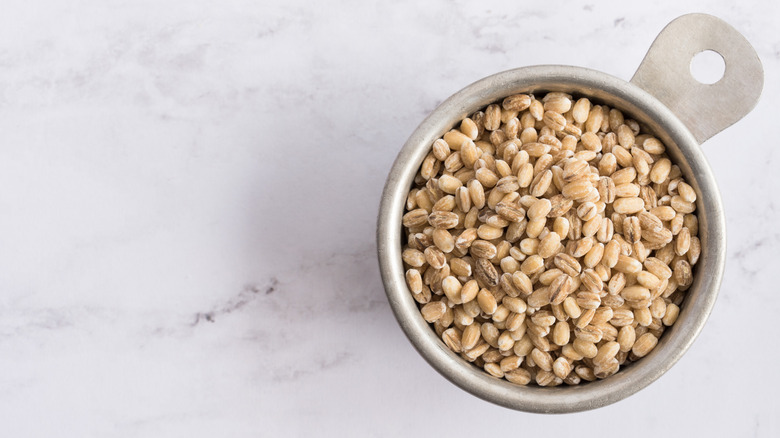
<point x="548" y="240"/>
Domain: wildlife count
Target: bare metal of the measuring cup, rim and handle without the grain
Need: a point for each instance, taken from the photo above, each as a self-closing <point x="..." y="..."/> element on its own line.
<point x="668" y="103"/>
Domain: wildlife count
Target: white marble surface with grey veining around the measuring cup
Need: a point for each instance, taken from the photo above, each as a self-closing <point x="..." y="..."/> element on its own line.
<point x="188" y="194"/>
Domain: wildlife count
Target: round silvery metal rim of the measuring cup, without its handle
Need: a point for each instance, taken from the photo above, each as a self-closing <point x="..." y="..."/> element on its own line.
<point x="682" y="147"/>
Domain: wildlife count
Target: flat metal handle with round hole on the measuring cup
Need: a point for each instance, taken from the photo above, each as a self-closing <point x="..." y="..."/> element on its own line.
<point x="705" y="109"/>
